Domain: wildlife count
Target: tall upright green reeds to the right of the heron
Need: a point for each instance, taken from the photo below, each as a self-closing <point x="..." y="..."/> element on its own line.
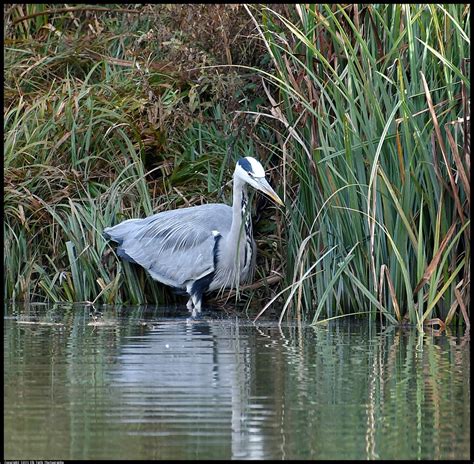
<point x="373" y="103"/>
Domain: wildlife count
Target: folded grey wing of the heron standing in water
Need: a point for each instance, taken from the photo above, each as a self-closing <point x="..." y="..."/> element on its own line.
<point x="176" y="246"/>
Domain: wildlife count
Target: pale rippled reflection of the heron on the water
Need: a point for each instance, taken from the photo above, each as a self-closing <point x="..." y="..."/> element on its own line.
<point x="192" y="376"/>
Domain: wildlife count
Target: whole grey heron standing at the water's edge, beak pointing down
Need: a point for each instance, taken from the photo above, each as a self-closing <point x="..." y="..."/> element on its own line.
<point x="200" y="248"/>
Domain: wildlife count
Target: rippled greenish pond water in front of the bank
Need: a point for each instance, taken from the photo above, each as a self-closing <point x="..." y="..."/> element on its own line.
<point x="148" y="384"/>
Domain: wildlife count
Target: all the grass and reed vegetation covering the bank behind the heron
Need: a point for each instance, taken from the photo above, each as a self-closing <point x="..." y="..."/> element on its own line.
<point x="360" y="113"/>
